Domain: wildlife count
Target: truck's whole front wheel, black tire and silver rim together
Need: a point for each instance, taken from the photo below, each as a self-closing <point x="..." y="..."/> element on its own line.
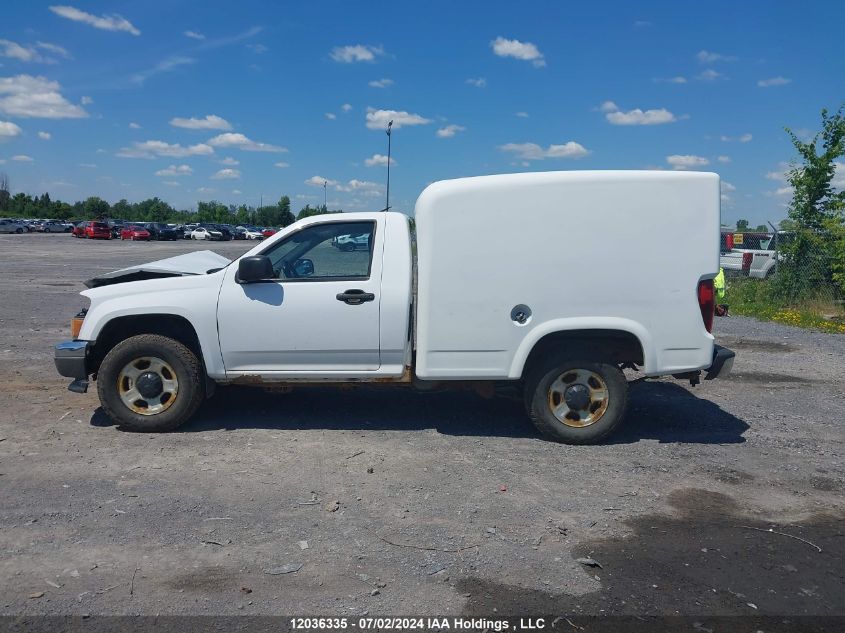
<point x="150" y="383"/>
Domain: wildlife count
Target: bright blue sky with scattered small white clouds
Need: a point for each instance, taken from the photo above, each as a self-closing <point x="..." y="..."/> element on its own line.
<point x="242" y="102"/>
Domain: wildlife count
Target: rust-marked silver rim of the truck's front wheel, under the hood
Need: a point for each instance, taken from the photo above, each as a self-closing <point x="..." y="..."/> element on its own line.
<point x="147" y="385"/>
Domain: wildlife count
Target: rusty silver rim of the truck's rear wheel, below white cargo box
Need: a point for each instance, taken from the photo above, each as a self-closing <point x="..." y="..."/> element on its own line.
<point x="578" y="397"/>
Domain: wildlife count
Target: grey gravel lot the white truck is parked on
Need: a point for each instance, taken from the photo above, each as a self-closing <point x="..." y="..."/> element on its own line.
<point x="436" y="503"/>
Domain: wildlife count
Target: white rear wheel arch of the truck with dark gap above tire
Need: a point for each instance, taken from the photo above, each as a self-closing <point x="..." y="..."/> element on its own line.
<point x="617" y="340"/>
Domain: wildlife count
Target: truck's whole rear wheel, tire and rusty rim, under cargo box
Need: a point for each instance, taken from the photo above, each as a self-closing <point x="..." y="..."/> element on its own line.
<point x="576" y="401"/>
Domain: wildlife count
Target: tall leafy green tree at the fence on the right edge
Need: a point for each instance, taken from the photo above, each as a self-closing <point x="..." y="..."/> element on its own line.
<point x="811" y="259"/>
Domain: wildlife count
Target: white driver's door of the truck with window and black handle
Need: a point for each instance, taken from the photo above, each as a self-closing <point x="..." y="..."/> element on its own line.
<point x="319" y="314"/>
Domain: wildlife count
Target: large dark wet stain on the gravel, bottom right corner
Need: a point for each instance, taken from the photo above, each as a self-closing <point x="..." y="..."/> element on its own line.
<point x="712" y="558"/>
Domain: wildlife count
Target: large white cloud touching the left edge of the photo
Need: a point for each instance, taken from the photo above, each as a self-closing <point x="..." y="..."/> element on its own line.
<point x="26" y="96"/>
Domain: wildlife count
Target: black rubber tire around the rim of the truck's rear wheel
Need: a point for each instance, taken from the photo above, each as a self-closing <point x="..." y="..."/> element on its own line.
<point x="539" y="399"/>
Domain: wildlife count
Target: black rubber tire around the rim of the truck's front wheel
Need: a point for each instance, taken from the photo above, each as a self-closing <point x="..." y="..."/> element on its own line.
<point x="189" y="373"/>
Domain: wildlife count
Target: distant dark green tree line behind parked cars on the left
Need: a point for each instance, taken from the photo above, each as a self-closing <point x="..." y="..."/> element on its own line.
<point x="23" y="205"/>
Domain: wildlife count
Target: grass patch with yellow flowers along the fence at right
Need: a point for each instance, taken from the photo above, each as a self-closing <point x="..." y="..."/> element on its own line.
<point x="757" y="298"/>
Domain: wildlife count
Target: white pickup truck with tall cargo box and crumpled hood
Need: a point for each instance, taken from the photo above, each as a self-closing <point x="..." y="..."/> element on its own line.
<point x="544" y="280"/>
